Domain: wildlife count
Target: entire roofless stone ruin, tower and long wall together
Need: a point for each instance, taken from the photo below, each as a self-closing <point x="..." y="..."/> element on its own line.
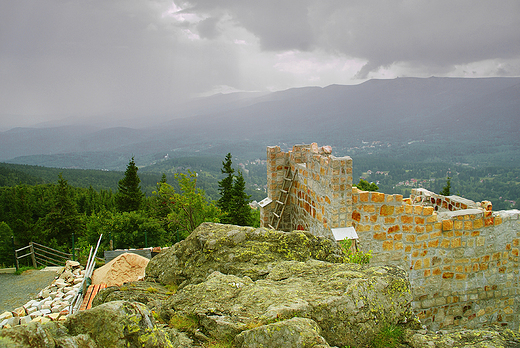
<point x="461" y="256"/>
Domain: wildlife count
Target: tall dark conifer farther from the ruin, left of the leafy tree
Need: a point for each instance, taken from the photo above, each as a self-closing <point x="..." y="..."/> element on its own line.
<point x="129" y="196"/>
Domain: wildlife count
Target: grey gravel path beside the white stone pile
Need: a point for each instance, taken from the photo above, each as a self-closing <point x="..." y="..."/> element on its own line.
<point x="17" y="290"/>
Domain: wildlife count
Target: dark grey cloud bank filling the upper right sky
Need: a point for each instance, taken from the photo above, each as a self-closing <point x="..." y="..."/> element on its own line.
<point x="439" y="34"/>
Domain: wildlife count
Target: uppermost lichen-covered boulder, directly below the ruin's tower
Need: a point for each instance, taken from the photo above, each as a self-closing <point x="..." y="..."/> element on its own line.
<point x="242" y="251"/>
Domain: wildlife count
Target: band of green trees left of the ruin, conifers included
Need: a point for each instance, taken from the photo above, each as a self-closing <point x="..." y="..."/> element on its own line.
<point x="51" y="213"/>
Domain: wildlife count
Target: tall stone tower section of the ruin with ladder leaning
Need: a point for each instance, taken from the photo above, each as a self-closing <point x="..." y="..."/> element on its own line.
<point x="321" y="196"/>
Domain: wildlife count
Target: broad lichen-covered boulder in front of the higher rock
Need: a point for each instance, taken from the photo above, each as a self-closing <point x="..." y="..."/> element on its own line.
<point x="350" y="303"/>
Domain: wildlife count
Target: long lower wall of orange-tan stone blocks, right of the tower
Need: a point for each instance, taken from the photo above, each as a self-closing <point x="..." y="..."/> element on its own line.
<point x="463" y="264"/>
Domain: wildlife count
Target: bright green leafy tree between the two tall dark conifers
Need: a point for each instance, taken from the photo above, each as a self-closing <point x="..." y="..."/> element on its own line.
<point x="189" y="208"/>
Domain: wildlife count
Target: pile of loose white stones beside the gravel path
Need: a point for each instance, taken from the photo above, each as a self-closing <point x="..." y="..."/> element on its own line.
<point x="52" y="303"/>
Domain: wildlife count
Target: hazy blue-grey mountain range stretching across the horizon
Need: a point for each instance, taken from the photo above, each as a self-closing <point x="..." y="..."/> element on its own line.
<point x="448" y="119"/>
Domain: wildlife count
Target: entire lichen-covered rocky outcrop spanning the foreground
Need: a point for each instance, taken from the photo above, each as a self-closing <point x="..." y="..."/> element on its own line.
<point x="229" y="286"/>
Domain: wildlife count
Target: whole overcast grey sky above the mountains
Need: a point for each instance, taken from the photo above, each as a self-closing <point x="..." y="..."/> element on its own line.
<point x="97" y="57"/>
